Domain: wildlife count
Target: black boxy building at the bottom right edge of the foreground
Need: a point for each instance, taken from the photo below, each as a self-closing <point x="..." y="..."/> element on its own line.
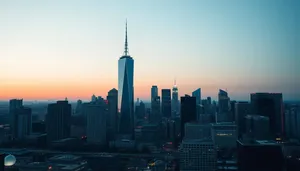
<point x="259" y="156"/>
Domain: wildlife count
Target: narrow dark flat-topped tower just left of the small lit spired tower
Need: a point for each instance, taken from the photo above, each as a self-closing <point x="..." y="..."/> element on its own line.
<point x="166" y="103"/>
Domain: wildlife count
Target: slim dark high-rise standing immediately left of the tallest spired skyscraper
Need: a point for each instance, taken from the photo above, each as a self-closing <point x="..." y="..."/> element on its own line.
<point x="112" y="123"/>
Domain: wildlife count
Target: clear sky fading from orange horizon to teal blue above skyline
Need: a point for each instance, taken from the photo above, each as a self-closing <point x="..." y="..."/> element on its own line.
<point x="58" y="48"/>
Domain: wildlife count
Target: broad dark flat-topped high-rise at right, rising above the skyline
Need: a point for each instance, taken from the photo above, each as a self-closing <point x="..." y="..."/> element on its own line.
<point x="271" y="106"/>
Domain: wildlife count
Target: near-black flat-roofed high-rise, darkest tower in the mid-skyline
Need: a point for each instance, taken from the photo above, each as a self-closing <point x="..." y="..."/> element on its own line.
<point x="188" y="111"/>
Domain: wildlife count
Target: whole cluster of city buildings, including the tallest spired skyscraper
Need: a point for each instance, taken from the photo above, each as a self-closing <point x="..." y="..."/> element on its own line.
<point x="203" y="134"/>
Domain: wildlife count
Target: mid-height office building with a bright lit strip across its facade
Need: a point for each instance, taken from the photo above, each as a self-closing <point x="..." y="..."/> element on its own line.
<point x="224" y="135"/>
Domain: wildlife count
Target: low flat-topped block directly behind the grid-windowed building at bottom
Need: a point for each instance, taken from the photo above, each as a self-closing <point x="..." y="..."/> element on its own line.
<point x="197" y="131"/>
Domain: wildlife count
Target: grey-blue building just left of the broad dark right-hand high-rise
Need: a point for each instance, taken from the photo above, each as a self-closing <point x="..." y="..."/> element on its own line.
<point x="241" y="110"/>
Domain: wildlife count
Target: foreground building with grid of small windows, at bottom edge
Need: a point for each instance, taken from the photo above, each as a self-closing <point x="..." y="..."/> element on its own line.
<point x="197" y="155"/>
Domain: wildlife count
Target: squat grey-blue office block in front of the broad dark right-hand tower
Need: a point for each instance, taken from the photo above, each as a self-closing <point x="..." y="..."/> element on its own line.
<point x="257" y="127"/>
